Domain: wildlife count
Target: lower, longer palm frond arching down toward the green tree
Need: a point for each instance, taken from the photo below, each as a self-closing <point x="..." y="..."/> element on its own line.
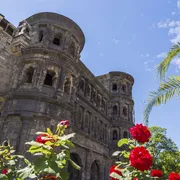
<point x="167" y="90"/>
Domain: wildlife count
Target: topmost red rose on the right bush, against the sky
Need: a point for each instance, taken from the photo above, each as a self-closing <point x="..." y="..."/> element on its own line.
<point x="140" y="133"/>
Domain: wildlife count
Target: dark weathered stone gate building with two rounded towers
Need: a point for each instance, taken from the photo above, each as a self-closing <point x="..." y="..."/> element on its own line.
<point x="44" y="81"/>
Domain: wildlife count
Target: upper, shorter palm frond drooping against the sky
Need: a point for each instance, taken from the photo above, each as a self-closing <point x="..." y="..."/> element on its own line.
<point x="164" y="65"/>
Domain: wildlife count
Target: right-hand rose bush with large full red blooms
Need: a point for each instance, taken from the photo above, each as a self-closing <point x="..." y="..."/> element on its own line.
<point x="135" y="160"/>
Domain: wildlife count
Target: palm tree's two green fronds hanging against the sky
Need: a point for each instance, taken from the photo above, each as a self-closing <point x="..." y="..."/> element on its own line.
<point x="169" y="86"/>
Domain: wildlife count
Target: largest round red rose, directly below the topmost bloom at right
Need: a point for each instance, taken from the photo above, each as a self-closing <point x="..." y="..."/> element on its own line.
<point x="140" y="158"/>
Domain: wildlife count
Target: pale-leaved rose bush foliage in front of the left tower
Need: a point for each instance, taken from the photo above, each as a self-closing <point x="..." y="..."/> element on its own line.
<point x="51" y="156"/>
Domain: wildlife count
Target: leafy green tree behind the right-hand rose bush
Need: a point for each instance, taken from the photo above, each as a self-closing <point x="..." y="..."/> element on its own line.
<point x="164" y="150"/>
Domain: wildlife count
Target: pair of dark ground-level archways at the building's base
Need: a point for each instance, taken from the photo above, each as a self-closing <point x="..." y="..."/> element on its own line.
<point x="77" y="175"/>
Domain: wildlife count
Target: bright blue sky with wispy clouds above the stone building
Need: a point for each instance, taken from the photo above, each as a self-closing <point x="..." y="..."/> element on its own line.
<point x="123" y="35"/>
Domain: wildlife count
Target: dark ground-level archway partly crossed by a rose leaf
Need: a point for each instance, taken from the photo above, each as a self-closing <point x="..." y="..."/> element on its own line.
<point x="74" y="174"/>
